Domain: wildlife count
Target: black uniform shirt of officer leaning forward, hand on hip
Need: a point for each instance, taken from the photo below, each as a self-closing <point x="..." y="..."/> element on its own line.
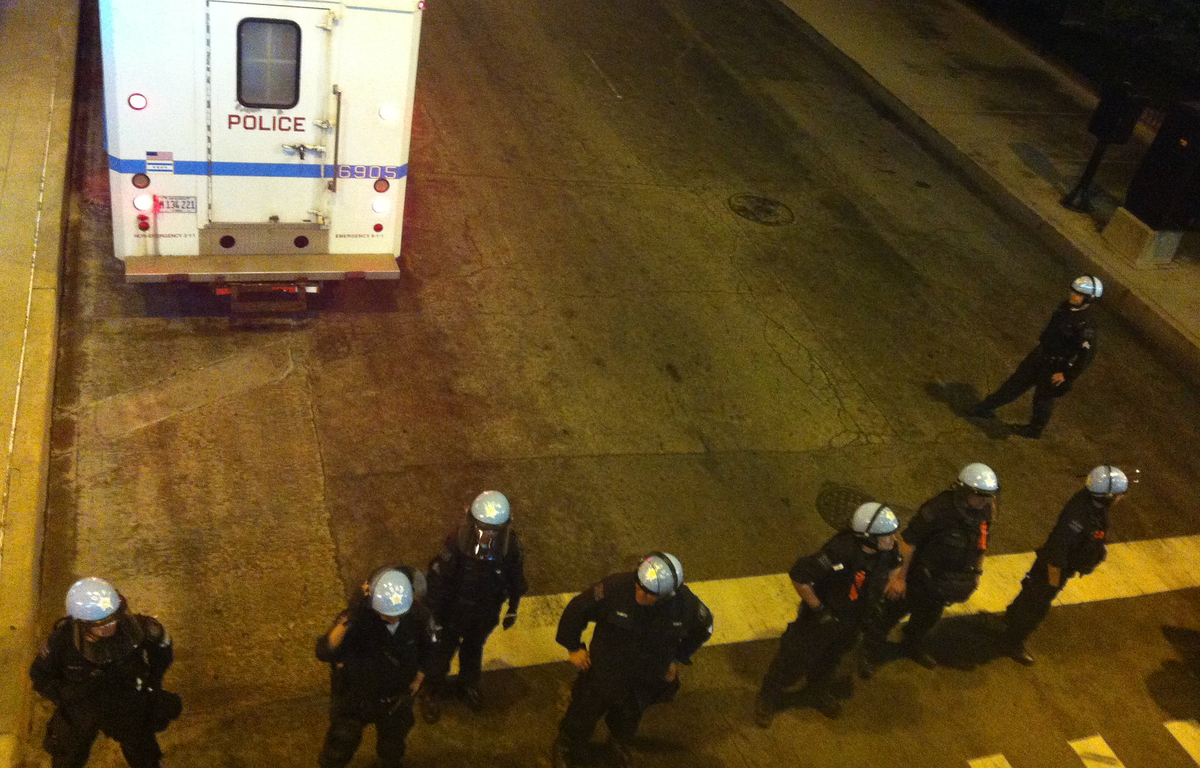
<point x="632" y="640"/>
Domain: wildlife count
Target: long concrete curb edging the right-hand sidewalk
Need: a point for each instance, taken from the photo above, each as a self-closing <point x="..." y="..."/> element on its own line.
<point x="1177" y="349"/>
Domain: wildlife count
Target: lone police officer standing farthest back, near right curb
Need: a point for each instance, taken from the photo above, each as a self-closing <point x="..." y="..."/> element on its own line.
<point x="1065" y="349"/>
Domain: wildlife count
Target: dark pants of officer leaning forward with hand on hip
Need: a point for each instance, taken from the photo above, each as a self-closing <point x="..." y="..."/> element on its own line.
<point x="621" y="703"/>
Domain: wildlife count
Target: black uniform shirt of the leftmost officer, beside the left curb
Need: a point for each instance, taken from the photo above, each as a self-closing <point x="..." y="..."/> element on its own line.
<point x="63" y="675"/>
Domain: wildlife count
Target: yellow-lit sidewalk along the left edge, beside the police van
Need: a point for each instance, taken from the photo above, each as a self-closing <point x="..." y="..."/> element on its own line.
<point x="38" y="83"/>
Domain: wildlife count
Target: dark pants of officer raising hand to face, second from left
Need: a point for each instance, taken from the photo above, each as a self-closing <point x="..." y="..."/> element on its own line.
<point x="347" y="718"/>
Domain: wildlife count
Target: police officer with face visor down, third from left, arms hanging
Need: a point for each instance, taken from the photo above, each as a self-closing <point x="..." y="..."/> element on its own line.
<point x="481" y="567"/>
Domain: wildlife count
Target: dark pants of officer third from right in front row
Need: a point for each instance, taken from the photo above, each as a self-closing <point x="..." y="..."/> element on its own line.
<point x="811" y="651"/>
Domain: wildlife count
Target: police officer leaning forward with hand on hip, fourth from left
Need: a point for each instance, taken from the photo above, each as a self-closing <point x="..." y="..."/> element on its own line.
<point x="647" y="625"/>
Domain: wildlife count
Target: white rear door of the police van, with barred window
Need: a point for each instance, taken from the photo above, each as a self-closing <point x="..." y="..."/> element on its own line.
<point x="271" y="134"/>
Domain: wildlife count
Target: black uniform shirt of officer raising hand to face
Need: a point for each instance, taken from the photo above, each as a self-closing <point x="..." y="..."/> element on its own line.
<point x="374" y="664"/>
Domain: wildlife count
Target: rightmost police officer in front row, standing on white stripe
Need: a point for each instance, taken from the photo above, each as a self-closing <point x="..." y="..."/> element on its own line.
<point x="1077" y="545"/>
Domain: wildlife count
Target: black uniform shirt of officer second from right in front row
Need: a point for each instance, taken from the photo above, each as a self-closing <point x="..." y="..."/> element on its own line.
<point x="946" y="539"/>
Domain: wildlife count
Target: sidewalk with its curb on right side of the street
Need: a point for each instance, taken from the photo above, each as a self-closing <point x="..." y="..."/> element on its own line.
<point x="1017" y="127"/>
